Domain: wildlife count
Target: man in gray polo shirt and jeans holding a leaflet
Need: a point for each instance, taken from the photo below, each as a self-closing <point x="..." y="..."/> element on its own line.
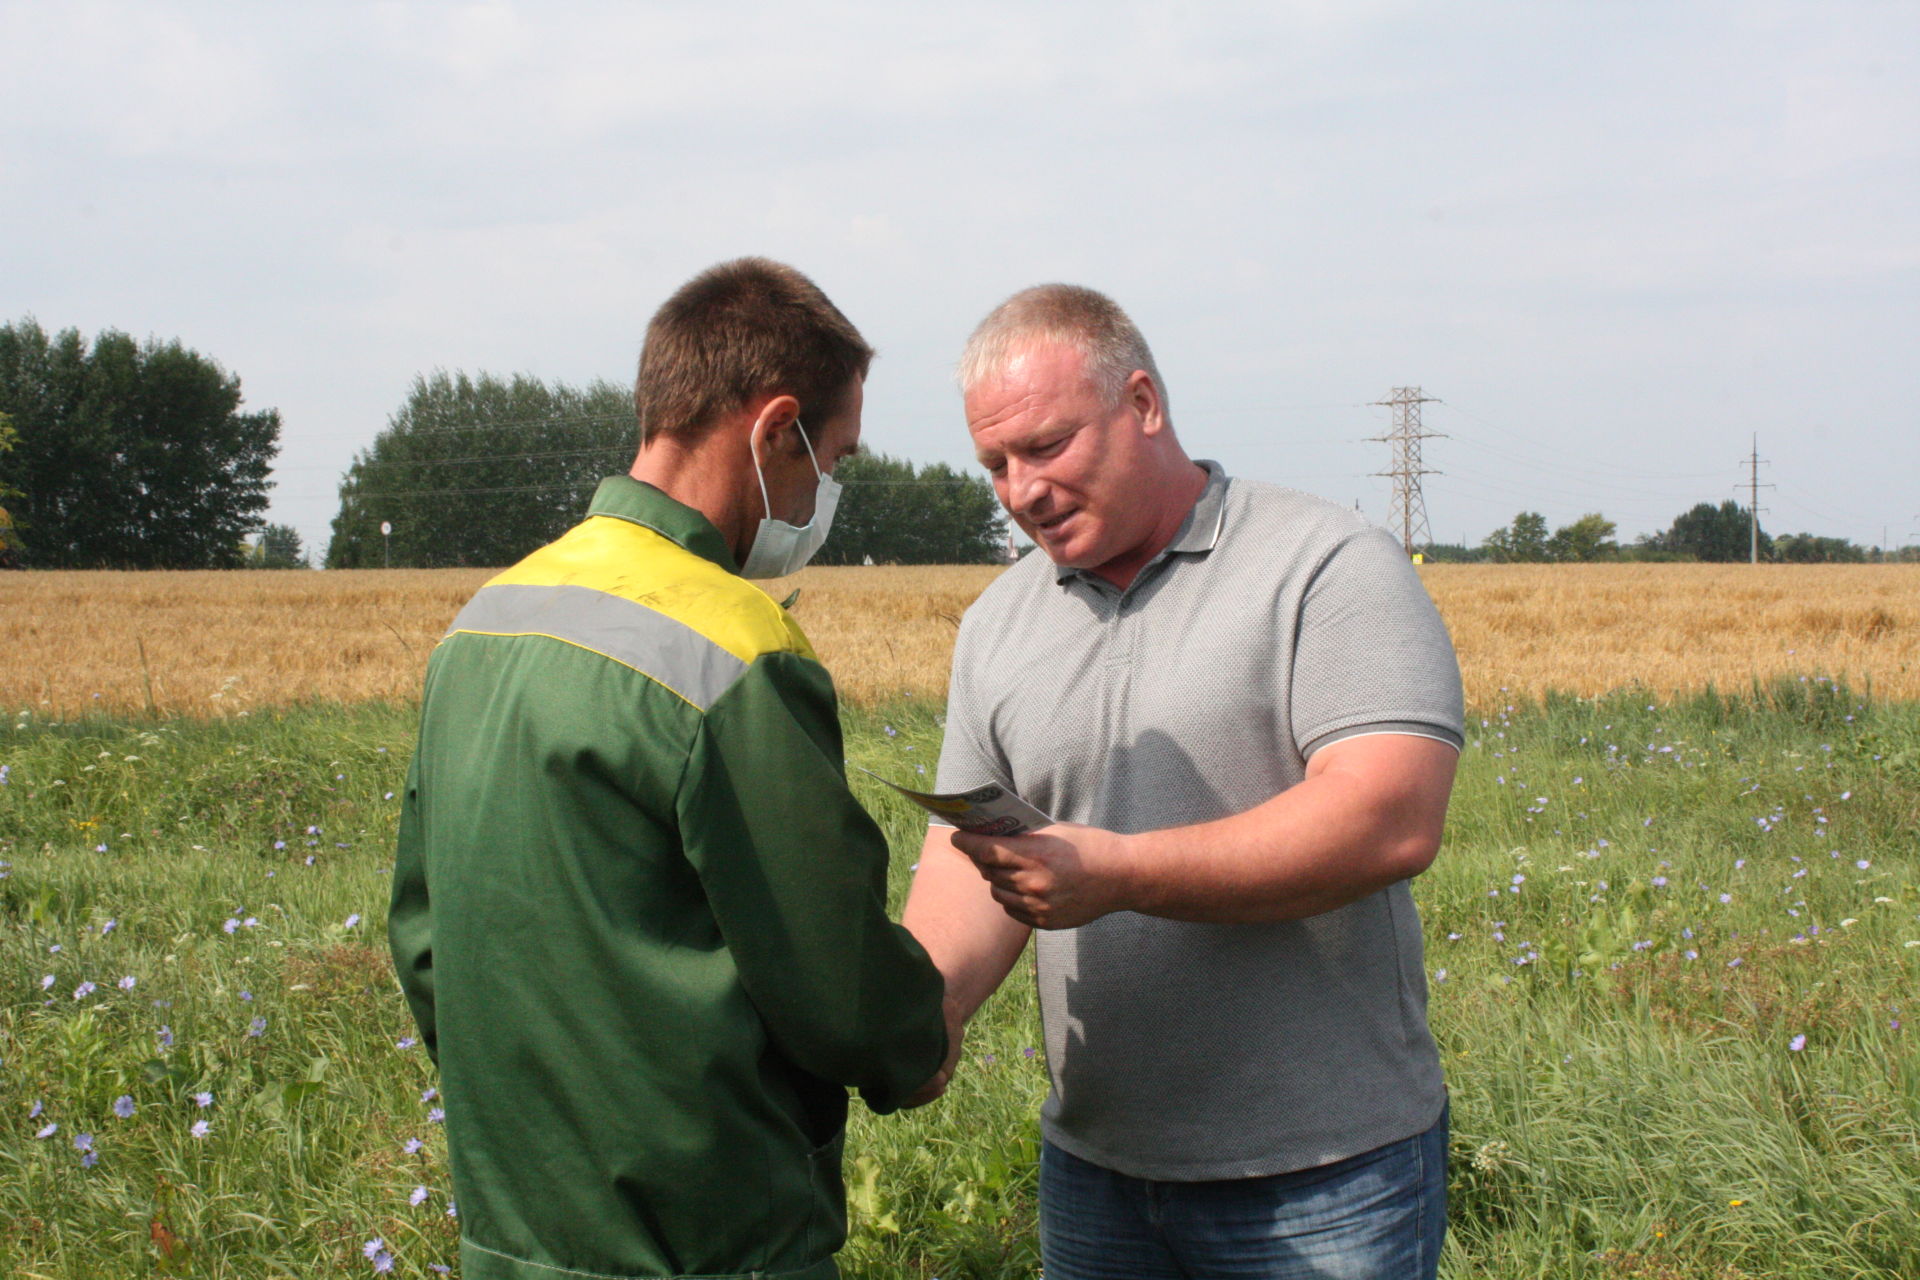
<point x="1245" y="715"/>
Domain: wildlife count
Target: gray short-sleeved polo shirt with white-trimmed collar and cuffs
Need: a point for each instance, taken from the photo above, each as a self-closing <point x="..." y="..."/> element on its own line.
<point x="1274" y="625"/>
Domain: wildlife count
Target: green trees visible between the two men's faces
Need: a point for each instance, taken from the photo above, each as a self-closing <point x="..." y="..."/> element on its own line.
<point x="896" y="513"/>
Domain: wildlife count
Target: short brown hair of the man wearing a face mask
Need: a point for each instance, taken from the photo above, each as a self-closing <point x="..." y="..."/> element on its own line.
<point x="744" y="329"/>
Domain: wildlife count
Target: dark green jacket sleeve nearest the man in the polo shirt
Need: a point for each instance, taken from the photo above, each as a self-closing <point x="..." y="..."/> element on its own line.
<point x="796" y="874"/>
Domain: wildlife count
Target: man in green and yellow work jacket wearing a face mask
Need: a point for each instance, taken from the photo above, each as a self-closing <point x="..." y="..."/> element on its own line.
<point x="636" y="911"/>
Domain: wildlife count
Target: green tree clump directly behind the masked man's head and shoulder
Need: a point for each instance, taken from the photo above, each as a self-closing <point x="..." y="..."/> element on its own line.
<point x="481" y="471"/>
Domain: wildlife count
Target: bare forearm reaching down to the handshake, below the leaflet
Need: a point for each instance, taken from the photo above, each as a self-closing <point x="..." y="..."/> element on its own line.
<point x="965" y="932"/>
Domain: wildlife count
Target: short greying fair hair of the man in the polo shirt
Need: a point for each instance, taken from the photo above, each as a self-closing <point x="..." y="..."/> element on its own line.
<point x="1072" y="316"/>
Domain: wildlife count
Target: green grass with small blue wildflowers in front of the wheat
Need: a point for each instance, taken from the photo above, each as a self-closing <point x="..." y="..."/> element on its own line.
<point x="1627" y="1099"/>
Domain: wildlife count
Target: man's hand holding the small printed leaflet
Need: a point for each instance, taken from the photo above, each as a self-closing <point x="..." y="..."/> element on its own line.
<point x="1055" y="878"/>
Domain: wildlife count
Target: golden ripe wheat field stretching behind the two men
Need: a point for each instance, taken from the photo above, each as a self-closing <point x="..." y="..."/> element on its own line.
<point x="216" y="644"/>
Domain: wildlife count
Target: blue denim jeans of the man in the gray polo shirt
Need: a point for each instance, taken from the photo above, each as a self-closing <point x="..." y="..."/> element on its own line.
<point x="1378" y="1216"/>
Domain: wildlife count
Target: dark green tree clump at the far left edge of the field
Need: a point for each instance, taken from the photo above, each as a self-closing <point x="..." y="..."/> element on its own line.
<point x="132" y="456"/>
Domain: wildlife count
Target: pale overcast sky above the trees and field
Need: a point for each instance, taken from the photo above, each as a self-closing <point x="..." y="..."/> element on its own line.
<point x="1616" y="241"/>
